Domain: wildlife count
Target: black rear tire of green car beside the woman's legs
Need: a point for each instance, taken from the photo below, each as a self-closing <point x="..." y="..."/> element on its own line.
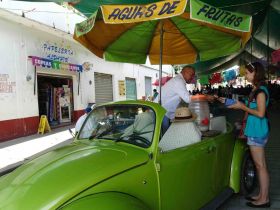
<point x="248" y="175"/>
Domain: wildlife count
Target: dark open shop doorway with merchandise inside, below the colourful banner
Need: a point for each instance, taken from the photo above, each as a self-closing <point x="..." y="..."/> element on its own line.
<point x="55" y="99"/>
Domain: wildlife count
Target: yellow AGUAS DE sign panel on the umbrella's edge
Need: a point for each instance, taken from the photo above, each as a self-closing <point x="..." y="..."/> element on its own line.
<point x="116" y="14"/>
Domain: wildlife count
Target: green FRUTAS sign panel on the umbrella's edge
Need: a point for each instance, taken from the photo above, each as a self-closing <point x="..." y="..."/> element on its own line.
<point x="206" y="13"/>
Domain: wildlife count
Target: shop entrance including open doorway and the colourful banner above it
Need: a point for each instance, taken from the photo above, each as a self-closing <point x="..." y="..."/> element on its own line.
<point x="55" y="89"/>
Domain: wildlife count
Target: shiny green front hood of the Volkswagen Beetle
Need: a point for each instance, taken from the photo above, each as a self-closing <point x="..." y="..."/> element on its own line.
<point x="50" y="180"/>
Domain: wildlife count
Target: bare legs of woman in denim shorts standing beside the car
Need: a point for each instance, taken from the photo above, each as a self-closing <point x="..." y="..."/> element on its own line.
<point x="258" y="156"/>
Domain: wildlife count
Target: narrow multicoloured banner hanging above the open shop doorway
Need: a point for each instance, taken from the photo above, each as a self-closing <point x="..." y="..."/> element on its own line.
<point x="46" y="63"/>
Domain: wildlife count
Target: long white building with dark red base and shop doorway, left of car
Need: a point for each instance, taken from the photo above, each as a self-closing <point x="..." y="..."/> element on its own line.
<point x="47" y="73"/>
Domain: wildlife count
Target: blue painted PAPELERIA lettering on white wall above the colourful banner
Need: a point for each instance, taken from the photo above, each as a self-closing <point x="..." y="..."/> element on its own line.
<point x="57" y="52"/>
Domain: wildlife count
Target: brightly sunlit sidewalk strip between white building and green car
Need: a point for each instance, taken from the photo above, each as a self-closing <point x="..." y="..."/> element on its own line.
<point x="15" y="152"/>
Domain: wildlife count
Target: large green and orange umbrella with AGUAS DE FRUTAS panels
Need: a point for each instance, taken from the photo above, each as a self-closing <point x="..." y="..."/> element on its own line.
<point x="168" y="32"/>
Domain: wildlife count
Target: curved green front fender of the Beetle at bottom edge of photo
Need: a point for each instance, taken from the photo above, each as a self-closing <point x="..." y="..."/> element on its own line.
<point x="106" y="201"/>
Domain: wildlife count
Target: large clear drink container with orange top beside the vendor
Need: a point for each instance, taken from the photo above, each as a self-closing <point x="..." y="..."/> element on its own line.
<point x="199" y="106"/>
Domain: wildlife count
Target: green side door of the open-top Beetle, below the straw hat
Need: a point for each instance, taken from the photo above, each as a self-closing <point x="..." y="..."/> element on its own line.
<point x="186" y="176"/>
